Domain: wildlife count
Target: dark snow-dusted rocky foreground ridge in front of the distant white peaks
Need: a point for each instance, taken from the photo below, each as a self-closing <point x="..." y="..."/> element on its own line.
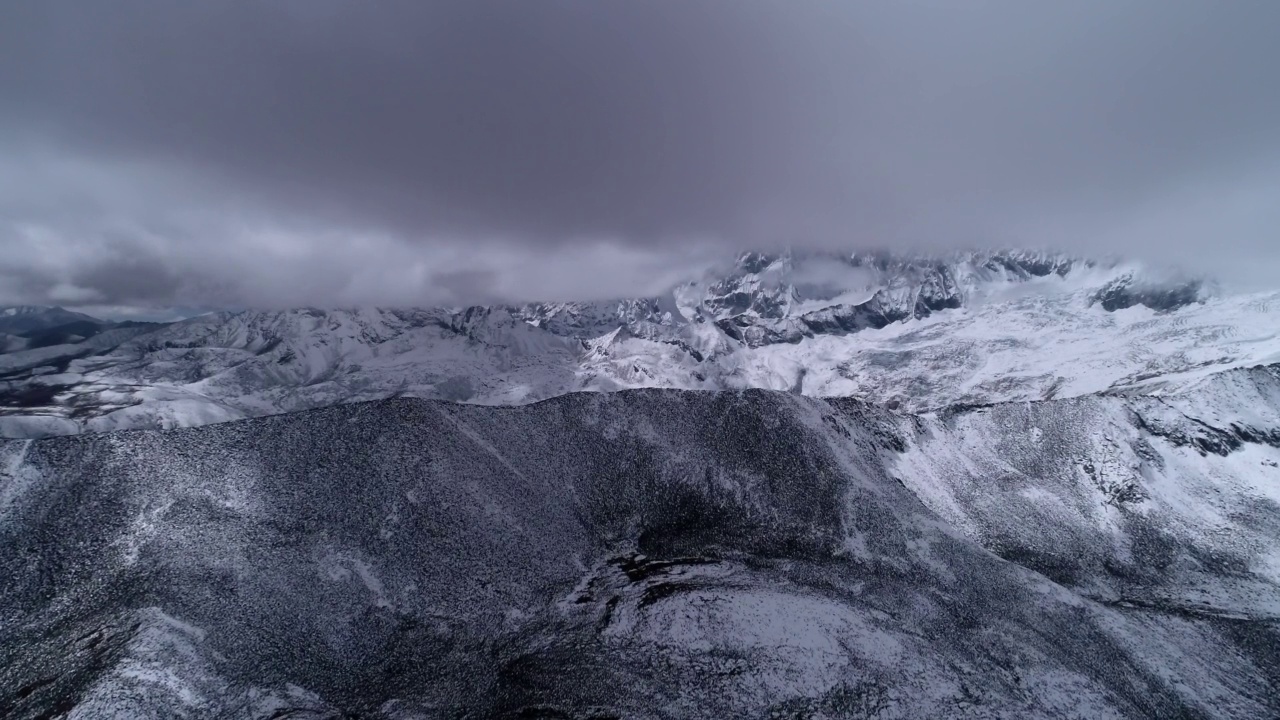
<point x="655" y="554"/>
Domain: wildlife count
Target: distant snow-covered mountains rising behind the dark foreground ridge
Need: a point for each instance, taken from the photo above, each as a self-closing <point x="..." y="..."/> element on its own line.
<point x="912" y="332"/>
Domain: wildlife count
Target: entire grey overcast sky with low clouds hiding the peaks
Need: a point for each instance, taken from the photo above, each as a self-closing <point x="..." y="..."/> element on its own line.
<point x="273" y="153"/>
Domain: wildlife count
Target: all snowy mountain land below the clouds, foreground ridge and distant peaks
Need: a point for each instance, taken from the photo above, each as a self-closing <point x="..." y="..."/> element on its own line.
<point x="808" y="486"/>
